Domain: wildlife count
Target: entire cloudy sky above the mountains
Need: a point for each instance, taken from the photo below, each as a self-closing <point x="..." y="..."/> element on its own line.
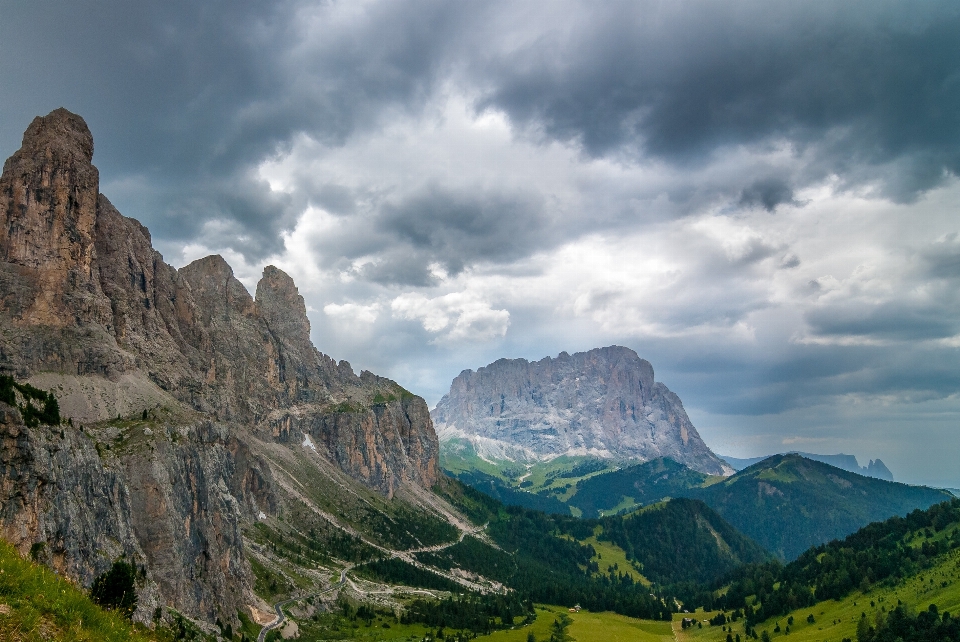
<point x="759" y="197"/>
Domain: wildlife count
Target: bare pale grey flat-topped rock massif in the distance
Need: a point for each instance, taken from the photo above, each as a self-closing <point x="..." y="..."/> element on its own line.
<point x="604" y="402"/>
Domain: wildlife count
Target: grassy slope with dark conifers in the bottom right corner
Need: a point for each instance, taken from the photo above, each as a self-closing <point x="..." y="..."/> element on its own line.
<point x="915" y="562"/>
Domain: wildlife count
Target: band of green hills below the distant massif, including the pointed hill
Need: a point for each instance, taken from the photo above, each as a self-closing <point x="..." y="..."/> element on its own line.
<point x="786" y="503"/>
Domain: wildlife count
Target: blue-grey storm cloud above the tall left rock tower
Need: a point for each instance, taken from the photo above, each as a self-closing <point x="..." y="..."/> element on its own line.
<point x="191" y="96"/>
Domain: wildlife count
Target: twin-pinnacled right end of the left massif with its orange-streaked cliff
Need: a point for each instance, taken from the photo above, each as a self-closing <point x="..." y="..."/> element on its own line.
<point x="262" y="369"/>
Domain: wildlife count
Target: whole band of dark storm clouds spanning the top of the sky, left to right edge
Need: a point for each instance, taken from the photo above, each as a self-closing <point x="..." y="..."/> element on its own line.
<point x="191" y="96"/>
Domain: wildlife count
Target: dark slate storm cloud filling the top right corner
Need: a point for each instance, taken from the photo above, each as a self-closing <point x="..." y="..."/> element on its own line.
<point x="870" y="84"/>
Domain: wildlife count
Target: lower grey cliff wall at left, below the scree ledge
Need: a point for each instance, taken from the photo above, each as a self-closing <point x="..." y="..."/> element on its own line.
<point x="164" y="497"/>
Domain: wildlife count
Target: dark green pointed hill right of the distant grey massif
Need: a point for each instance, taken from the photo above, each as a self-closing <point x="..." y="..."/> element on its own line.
<point x="787" y="503"/>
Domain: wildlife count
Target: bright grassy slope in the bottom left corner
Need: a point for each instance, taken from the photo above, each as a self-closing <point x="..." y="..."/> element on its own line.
<point x="36" y="604"/>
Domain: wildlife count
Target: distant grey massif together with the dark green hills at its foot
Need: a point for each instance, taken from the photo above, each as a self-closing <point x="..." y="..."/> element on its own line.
<point x="592" y="435"/>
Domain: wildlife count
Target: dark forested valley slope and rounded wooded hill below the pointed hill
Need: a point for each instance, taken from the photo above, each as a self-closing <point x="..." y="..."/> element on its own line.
<point x="678" y="541"/>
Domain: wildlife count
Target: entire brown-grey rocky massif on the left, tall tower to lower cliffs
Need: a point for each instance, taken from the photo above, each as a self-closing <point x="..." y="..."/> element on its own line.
<point x="173" y="374"/>
